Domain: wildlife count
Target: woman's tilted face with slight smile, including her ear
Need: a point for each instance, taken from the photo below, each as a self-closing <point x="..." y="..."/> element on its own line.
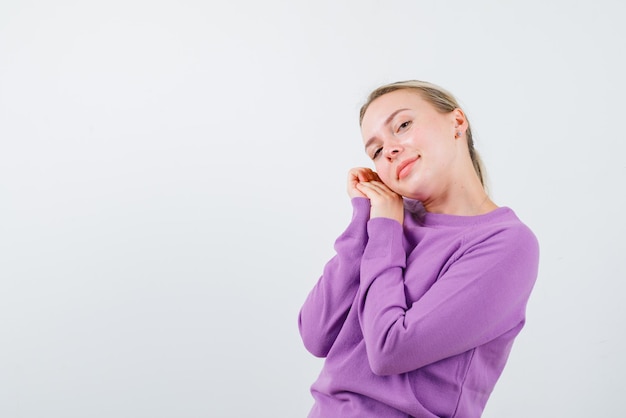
<point x="413" y="145"/>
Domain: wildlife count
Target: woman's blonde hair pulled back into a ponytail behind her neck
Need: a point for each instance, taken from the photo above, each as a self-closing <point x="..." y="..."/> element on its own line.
<point x="441" y="99"/>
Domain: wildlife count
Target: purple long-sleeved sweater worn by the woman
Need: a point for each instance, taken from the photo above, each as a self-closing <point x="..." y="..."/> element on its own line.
<point x="417" y="320"/>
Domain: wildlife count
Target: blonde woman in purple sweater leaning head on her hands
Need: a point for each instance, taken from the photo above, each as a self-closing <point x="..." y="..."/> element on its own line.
<point x="417" y="311"/>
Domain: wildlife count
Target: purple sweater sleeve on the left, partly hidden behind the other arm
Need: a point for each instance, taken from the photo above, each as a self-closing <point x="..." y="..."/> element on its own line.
<point x="326" y="307"/>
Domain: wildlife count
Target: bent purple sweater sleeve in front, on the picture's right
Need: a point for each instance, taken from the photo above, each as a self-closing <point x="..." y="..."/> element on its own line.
<point x="481" y="296"/>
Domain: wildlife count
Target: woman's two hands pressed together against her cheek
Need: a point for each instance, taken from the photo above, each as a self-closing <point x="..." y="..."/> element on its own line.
<point x="385" y="203"/>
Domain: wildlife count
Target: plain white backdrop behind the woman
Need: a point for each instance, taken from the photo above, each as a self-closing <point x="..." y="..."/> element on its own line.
<point x="172" y="179"/>
